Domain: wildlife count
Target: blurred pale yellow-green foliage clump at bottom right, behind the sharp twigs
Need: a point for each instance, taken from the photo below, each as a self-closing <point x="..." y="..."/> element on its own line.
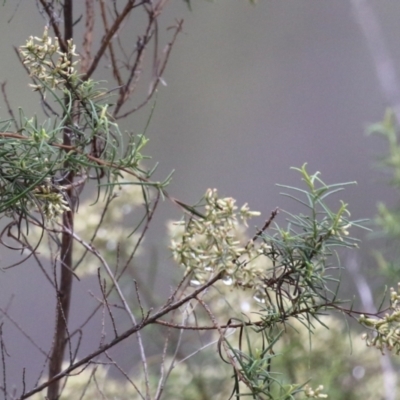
<point x="334" y="356"/>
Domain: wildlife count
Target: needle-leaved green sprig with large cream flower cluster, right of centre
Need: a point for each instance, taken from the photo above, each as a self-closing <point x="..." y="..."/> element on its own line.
<point x="292" y="279"/>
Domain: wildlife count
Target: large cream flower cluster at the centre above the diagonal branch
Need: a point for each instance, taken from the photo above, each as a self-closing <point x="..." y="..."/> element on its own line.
<point x="215" y="244"/>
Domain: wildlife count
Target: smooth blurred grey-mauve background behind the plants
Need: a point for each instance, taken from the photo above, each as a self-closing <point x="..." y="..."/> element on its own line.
<point x="251" y="91"/>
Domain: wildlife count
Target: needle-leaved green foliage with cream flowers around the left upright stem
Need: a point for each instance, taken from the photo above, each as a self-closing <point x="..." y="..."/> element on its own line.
<point x="33" y="161"/>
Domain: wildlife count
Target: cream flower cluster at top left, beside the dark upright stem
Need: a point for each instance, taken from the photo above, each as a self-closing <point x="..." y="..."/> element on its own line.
<point x="38" y="55"/>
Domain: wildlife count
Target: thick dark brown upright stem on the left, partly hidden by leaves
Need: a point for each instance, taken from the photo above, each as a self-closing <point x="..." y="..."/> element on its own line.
<point x="65" y="285"/>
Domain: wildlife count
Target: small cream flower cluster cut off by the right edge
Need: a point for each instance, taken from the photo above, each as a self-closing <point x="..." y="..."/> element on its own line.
<point x="386" y="330"/>
